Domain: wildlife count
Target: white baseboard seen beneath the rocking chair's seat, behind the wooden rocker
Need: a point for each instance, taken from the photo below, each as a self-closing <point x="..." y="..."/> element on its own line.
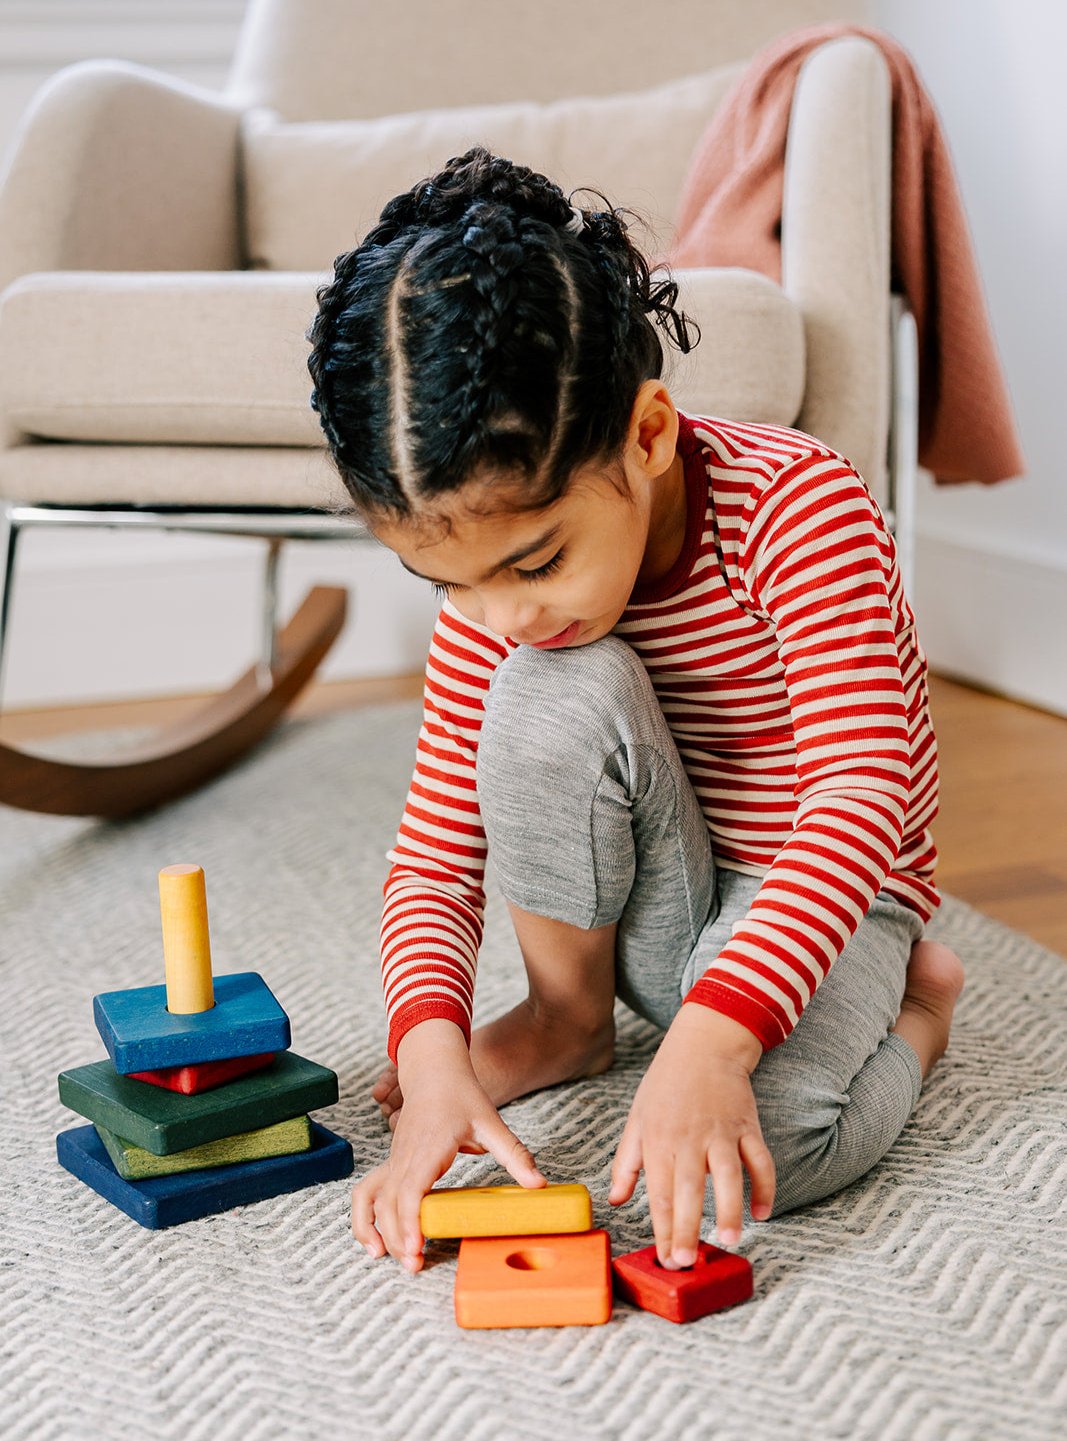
<point x="106" y="617"/>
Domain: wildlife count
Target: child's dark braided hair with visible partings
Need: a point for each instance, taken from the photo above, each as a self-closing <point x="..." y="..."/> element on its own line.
<point x="482" y="332"/>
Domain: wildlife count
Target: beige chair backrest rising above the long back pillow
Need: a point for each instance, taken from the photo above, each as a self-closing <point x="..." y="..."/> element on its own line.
<point x="344" y="60"/>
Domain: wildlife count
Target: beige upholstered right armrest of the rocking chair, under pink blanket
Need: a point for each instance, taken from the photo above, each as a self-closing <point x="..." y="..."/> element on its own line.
<point x="836" y="247"/>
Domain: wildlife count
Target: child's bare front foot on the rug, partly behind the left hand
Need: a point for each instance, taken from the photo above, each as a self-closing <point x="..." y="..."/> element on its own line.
<point x="520" y="1053"/>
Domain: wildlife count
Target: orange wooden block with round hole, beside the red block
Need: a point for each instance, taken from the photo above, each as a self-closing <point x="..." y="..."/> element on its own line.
<point x="534" y="1282"/>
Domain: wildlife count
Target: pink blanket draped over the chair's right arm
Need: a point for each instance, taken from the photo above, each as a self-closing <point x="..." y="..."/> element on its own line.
<point x="732" y="213"/>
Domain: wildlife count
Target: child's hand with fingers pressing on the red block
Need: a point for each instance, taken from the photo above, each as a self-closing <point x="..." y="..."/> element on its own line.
<point x="696" y="1113"/>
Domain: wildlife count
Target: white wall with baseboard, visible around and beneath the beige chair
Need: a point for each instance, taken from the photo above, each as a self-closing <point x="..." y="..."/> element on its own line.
<point x="991" y="561"/>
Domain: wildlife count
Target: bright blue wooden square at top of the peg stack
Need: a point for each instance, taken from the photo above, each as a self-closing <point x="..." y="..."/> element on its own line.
<point x="142" y="1035"/>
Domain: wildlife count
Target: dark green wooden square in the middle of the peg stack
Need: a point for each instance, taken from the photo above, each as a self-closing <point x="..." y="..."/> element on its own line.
<point x="165" y="1122"/>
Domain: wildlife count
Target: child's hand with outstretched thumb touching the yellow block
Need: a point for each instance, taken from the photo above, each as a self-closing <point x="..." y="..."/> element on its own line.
<point x="445" y="1112"/>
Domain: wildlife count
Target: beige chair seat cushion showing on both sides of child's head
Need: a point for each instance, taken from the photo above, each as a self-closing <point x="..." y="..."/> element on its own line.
<point x="221" y="360"/>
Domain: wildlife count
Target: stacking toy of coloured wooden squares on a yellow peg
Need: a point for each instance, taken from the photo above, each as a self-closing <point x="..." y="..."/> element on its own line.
<point x="203" y="1106"/>
